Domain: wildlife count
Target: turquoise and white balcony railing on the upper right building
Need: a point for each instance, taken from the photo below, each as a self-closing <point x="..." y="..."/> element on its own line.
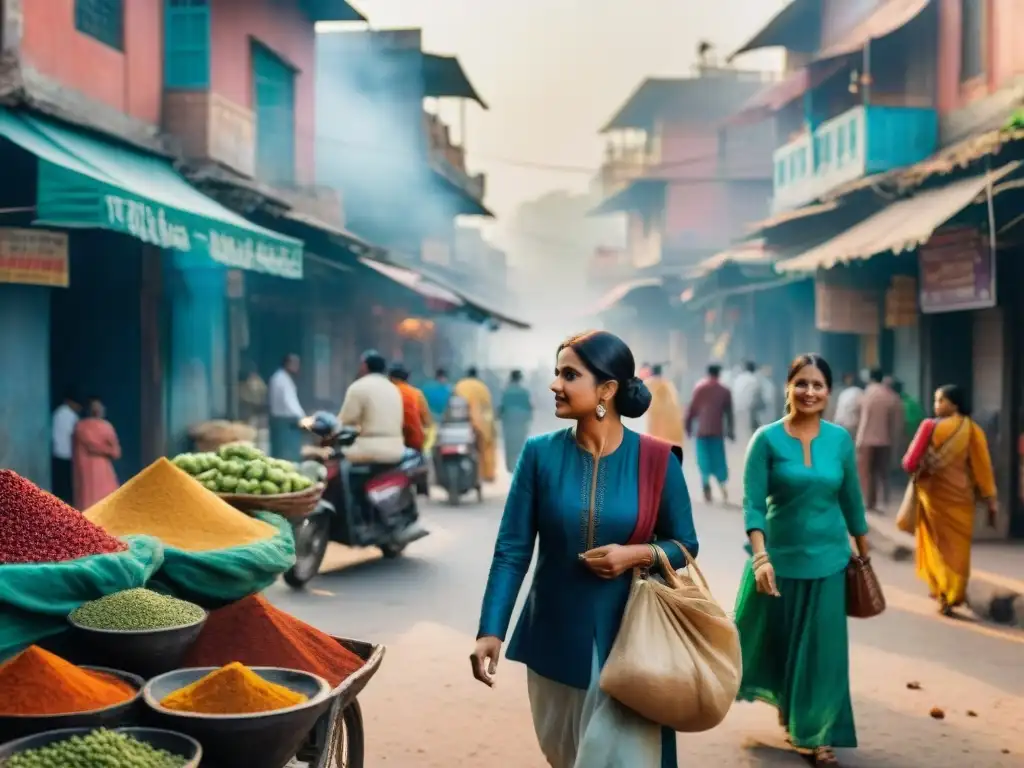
<point x="862" y="142"/>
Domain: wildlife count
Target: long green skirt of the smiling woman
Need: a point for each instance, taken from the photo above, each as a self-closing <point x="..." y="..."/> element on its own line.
<point x="797" y="657"/>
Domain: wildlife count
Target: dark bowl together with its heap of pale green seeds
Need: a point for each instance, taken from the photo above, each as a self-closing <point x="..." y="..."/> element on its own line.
<point x="138" y="630"/>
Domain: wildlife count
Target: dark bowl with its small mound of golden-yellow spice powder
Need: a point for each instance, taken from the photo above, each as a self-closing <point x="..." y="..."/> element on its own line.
<point x="238" y="740"/>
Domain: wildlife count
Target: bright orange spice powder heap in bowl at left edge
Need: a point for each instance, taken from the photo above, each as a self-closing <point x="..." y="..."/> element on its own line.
<point x="37" y="682"/>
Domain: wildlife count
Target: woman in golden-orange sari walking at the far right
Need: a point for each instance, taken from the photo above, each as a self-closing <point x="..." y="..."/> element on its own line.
<point x="950" y="458"/>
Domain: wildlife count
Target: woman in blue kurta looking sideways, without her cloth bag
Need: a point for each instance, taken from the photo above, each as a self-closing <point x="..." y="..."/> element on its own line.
<point x="576" y="492"/>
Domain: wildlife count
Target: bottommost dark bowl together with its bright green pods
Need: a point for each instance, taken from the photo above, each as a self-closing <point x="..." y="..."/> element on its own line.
<point x="150" y="747"/>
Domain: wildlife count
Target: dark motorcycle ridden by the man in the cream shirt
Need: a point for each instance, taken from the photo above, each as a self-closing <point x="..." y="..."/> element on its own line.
<point x="364" y="505"/>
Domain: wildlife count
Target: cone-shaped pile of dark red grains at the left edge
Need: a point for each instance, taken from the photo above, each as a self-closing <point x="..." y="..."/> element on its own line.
<point x="36" y="527"/>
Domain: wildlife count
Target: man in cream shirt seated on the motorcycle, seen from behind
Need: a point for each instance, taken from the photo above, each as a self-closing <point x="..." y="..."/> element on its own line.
<point x="373" y="405"/>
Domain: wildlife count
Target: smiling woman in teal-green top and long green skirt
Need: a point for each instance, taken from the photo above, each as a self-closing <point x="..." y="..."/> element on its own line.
<point x="802" y="503"/>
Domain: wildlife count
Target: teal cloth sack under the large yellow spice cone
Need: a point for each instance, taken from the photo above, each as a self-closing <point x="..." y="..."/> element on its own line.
<point x="214" y="579"/>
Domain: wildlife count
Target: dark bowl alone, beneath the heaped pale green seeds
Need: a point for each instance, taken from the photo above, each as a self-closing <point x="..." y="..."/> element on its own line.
<point x="146" y="653"/>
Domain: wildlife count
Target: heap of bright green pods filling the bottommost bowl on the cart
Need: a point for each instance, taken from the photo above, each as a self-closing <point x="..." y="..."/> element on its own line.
<point x="102" y="747"/>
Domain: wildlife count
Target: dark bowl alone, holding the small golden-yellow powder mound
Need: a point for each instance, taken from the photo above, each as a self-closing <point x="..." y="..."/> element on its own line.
<point x="268" y="740"/>
